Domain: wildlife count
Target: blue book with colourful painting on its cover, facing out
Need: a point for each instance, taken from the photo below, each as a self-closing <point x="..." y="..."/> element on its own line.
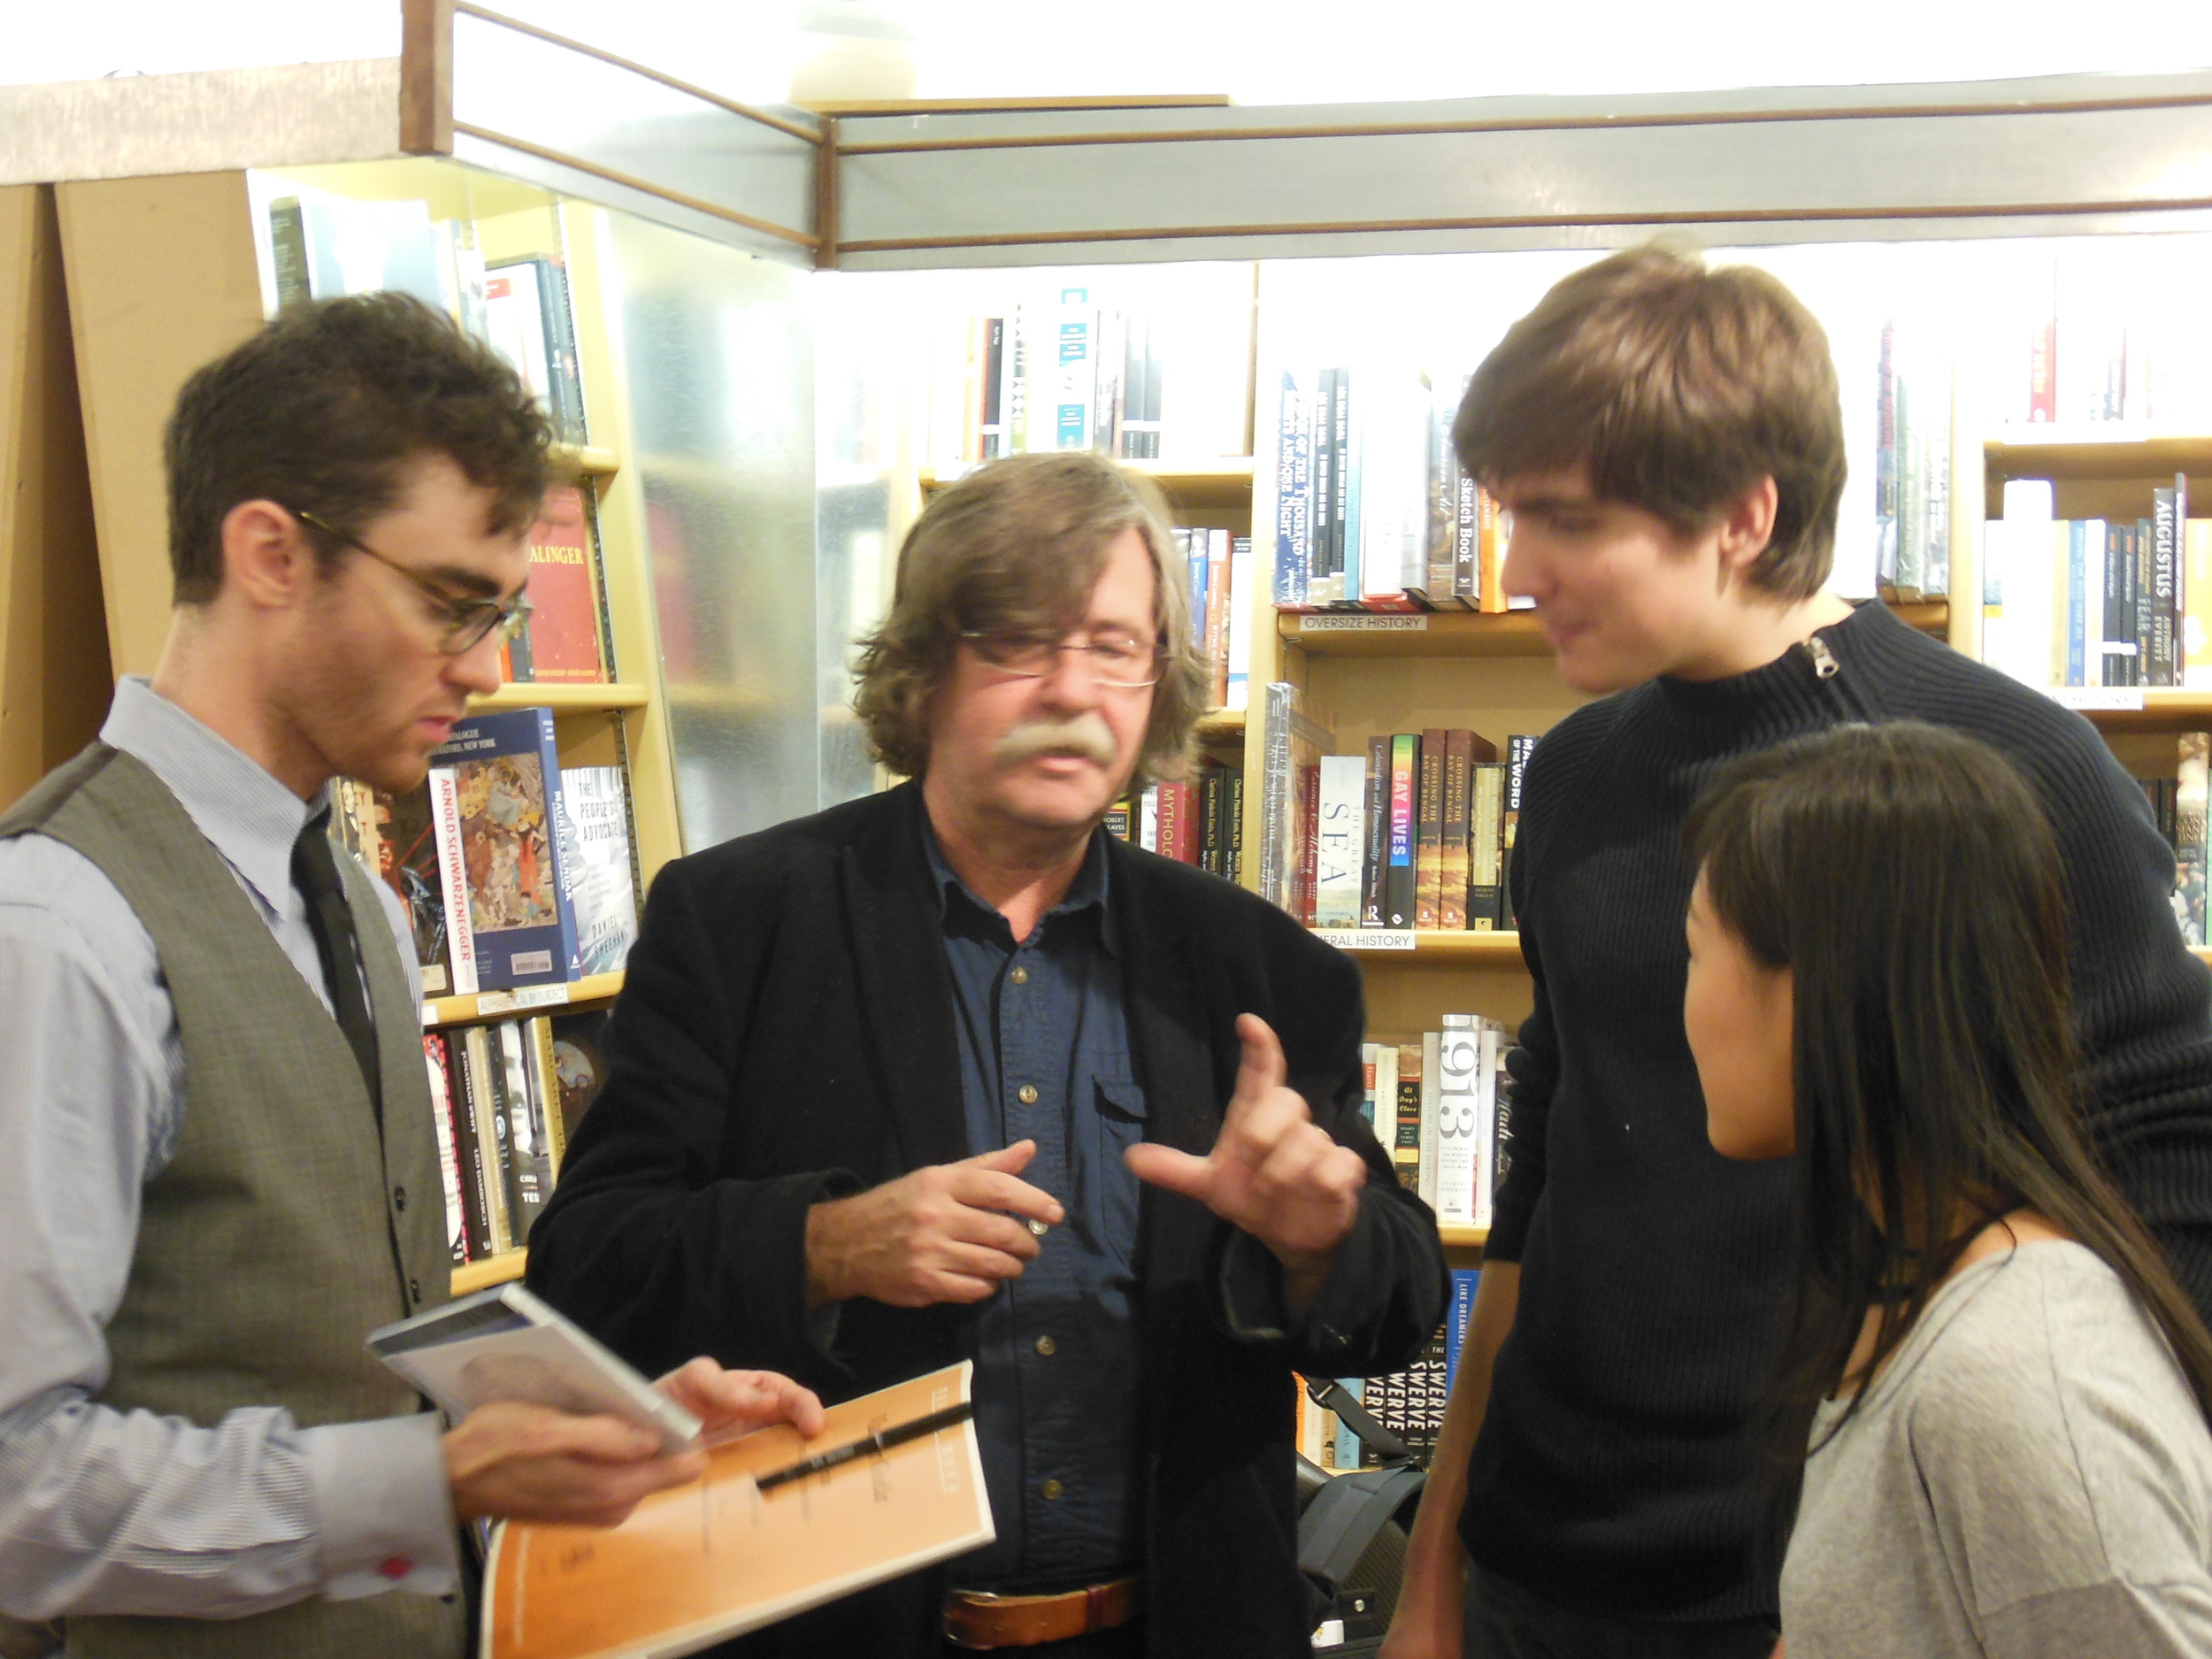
<point x="494" y="791"/>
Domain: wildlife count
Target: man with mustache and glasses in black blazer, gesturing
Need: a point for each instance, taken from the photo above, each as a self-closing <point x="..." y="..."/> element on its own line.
<point x="950" y="1074"/>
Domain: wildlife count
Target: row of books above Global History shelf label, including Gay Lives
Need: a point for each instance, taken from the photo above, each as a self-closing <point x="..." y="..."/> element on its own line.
<point x="1415" y="833"/>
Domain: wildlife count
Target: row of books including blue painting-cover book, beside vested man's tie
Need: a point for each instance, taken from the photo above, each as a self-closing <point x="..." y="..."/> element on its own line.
<point x="514" y="870"/>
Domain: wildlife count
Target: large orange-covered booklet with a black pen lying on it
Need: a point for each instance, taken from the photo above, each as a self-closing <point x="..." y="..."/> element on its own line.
<point x="766" y="1534"/>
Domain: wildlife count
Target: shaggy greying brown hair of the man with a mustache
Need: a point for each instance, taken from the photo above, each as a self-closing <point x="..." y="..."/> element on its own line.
<point x="1016" y="547"/>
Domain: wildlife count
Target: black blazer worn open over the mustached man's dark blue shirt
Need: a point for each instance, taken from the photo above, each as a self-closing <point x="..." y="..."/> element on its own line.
<point x="786" y="1034"/>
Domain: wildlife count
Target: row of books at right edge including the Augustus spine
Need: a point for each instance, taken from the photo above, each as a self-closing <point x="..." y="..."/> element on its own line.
<point x="2098" y="603"/>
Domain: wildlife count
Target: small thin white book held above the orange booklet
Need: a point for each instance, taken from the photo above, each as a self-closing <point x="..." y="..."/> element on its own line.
<point x="505" y="1344"/>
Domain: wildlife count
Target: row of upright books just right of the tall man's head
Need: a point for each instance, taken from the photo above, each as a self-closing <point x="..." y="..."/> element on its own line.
<point x="1912" y="468"/>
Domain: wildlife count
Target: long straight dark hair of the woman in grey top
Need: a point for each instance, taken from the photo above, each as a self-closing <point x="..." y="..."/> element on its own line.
<point x="1910" y="881"/>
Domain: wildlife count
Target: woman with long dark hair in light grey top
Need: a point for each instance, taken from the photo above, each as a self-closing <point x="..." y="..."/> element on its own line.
<point x="1994" y="1399"/>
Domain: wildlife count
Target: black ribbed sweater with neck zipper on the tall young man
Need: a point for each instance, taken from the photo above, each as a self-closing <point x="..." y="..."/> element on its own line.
<point x="1614" y="1472"/>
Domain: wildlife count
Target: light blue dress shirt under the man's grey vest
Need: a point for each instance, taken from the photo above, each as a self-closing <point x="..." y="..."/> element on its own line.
<point x="107" y="1512"/>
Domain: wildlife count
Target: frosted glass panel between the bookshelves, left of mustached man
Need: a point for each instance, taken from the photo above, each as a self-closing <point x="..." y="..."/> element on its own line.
<point x="722" y="406"/>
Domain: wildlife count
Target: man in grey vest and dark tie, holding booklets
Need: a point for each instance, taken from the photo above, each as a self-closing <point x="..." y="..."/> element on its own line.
<point x="218" y="1160"/>
